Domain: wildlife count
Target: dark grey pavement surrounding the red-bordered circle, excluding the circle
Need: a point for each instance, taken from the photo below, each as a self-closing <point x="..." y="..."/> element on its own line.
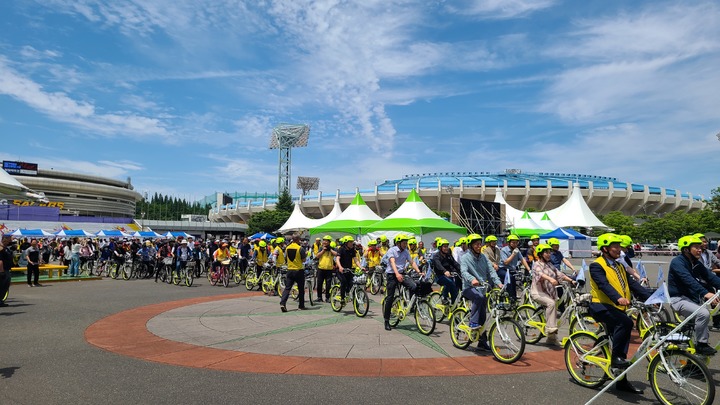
<point x="44" y="359"/>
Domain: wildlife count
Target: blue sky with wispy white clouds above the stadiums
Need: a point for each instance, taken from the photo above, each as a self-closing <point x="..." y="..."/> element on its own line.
<point x="182" y="96"/>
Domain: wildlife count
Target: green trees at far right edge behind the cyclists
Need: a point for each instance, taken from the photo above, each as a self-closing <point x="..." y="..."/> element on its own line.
<point x="669" y="227"/>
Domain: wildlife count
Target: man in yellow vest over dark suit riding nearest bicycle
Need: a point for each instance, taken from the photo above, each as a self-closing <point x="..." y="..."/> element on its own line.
<point x="611" y="288"/>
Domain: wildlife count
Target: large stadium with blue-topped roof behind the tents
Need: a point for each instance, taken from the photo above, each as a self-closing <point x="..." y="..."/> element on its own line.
<point x="540" y="191"/>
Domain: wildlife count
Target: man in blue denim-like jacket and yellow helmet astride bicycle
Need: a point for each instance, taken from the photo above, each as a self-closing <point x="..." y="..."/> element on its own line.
<point x="476" y="269"/>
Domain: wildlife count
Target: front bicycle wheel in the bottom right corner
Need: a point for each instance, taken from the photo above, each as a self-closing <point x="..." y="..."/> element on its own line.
<point x="681" y="379"/>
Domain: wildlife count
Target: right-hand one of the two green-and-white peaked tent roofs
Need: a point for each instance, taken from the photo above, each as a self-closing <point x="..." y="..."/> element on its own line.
<point x="414" y="216"/>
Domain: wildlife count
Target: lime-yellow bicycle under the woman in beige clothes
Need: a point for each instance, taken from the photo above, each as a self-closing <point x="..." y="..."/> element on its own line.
<point x="532" y="317"/>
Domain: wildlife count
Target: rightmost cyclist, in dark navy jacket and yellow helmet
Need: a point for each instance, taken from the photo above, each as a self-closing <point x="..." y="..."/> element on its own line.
<point x="690" y="283"/>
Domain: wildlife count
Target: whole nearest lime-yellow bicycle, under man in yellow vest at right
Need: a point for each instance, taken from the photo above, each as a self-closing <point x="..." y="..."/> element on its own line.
<point x="673" y="372"/>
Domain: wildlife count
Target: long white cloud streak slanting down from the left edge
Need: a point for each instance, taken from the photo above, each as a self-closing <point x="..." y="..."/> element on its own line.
<point x="82" y="114"/>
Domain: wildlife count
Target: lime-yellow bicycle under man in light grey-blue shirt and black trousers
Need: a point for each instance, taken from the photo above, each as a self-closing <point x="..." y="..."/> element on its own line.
<point x="405" y="304"/>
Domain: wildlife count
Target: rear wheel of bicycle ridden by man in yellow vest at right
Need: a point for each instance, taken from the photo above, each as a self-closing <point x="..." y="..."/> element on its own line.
<point x="583" y="371"/>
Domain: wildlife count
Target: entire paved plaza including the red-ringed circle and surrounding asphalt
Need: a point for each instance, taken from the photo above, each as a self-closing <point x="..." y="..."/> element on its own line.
<point x="118" y="342"/>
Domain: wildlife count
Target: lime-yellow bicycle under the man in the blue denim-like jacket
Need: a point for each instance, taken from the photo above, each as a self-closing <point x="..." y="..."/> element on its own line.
<point x="505" y="335"/>
